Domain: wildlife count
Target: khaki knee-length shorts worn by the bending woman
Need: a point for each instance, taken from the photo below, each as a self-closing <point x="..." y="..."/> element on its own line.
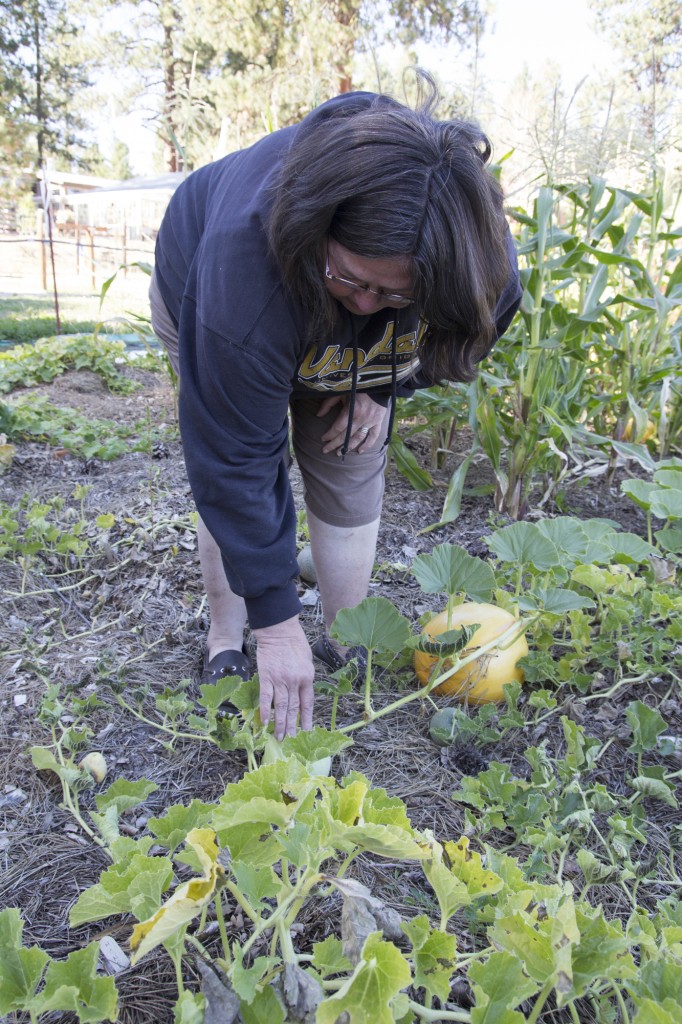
<point x="343" y="493"/>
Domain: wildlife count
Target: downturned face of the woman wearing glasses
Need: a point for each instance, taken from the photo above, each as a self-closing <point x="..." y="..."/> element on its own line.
<point x="364" y="286"/>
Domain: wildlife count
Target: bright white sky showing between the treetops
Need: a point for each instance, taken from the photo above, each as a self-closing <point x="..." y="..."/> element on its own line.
<point x="519" y="34"/>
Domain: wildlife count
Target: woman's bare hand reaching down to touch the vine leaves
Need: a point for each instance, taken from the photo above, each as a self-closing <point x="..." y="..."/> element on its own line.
<point x="286" y="673"/>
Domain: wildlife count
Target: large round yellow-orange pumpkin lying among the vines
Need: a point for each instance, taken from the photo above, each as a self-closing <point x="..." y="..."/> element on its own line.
<point x="484" y="680"/>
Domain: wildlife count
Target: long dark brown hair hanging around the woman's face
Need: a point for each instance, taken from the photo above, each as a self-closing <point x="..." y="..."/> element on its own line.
<point x="388" y="182"/>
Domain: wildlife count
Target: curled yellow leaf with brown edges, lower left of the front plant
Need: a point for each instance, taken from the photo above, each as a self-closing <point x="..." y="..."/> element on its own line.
<point x="187" y="903"/>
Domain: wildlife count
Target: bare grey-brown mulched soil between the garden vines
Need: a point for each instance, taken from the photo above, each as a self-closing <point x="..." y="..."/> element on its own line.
<point x="141" y="618"/>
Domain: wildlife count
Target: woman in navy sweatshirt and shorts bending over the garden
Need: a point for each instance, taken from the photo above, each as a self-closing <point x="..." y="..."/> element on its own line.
<point x="325" y="271"/>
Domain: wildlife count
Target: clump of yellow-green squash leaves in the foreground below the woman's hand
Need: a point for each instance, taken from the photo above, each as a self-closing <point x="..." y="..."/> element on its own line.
<point x="283" y="839"/>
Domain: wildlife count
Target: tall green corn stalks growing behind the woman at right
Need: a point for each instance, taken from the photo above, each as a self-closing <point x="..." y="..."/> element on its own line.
<point x="591" y="371"/>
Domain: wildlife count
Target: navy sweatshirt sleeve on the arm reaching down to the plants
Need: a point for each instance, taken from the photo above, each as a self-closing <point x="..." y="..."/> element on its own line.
<point x="233" y="409"/>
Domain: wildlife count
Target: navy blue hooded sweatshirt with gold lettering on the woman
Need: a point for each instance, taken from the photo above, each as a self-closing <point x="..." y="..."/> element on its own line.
<point x="243" y="352"/>
